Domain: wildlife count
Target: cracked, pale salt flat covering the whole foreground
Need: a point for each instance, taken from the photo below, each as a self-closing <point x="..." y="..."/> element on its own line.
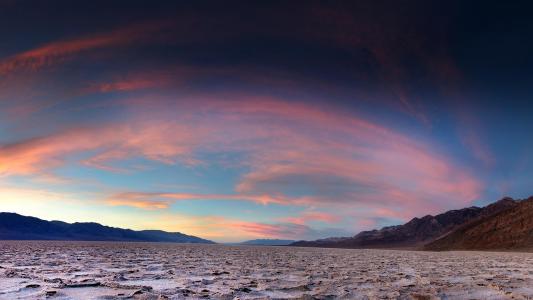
<point x="93" y="270"/>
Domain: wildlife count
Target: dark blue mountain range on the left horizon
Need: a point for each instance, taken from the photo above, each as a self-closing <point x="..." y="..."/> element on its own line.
<point x="17" y="227"/>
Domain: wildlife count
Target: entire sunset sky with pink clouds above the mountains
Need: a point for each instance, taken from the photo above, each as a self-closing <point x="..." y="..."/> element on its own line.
<point x="262" y="119"/>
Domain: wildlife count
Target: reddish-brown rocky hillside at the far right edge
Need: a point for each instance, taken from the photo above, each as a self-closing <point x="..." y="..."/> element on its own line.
<point x="506" y="230"/>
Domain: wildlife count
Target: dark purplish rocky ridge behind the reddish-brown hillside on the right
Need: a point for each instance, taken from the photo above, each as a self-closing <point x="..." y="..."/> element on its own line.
<point x="415" y="233"/>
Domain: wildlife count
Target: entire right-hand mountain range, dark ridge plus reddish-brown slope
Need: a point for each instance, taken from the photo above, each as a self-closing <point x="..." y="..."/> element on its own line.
<point x="467" y="228"/>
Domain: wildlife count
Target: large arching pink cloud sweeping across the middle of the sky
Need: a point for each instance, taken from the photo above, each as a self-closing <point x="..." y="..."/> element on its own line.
<point x="338" y="158"/>
